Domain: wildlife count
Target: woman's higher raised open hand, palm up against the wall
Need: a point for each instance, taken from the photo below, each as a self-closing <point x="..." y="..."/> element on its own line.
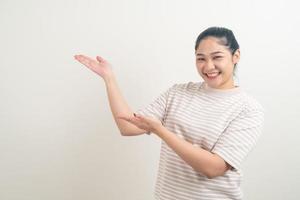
<point x="99" y="65"/>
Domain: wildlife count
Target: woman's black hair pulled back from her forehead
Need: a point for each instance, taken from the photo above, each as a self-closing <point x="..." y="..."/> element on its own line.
<point x="225" y="36"/>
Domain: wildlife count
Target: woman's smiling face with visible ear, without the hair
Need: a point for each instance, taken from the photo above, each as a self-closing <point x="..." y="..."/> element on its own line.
<point x="215" y="63"/>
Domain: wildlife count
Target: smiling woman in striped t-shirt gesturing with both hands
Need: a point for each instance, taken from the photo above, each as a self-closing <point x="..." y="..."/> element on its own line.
<point x="207" y="128"/>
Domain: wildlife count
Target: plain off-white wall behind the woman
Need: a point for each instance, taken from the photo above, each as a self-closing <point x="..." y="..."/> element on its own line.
<point x="58" y="139"/>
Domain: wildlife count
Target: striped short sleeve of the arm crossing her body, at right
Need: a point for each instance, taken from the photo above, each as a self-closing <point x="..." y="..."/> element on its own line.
<point x="240" y="137"/>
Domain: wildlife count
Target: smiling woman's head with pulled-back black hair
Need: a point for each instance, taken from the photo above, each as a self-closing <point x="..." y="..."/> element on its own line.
<point x="217" y="54"/>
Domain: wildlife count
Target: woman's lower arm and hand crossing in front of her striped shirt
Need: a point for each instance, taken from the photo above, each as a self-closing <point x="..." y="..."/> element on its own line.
<point x="201" y="160"/>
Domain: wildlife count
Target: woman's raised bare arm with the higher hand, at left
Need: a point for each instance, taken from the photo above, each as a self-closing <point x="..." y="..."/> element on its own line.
<point x="118" y="104"/>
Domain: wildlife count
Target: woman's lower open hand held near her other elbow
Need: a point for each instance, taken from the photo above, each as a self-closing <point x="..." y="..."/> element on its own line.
<point x="149" y="124"/>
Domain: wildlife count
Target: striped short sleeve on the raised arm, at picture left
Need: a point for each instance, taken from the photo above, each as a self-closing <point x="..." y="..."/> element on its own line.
<point x="157" y="108"/>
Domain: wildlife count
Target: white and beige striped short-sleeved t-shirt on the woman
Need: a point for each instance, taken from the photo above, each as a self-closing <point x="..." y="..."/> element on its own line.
<point x="225" y="122"/>
